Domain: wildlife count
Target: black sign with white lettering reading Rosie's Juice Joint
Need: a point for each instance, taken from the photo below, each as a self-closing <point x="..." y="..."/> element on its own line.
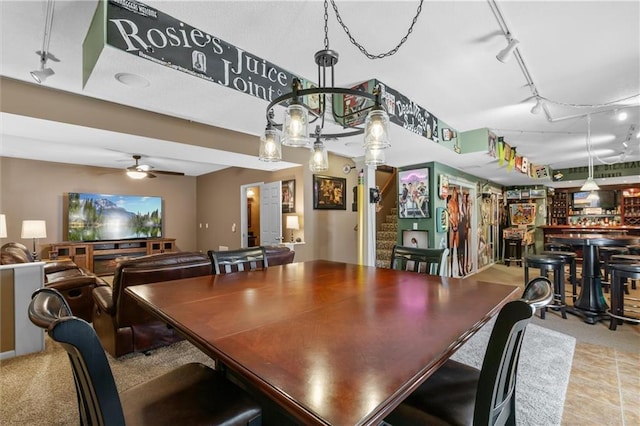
<point x="153" y="35"/>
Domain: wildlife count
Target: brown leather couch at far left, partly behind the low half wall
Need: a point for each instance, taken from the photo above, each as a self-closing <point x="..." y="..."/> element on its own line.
<point x="74" y="283"/>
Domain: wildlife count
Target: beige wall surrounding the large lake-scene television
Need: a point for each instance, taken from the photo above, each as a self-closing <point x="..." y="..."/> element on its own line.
<point x="35" y="189"/>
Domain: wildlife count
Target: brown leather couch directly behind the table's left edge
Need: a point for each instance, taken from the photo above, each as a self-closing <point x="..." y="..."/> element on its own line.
<point x="121" y="324"/>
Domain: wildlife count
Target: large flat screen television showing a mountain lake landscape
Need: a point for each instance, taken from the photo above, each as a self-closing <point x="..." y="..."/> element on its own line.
<point x="98" y="217"/>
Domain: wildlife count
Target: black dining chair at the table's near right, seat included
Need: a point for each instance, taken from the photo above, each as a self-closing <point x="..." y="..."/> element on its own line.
<point x="458" y="394"/>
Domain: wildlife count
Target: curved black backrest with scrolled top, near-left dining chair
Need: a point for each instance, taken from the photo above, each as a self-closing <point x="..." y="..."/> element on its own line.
<point x="98" y="399"/>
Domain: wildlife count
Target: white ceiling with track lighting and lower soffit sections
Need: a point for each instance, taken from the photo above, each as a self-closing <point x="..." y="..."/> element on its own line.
<point x="577" y="52"/>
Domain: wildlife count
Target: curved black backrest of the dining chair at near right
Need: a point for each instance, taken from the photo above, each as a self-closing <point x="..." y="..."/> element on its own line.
<point x="495" y="398"/>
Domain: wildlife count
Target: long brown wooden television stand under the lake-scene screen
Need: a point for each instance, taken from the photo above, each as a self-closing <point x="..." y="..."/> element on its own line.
<point x="100" y="257"/>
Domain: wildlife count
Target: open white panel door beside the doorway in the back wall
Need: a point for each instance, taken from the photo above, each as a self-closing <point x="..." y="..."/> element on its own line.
<point x="271" y="213"/>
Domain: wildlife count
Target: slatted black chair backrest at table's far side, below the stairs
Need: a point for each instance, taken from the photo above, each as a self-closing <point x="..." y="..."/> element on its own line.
<point x="428" y="261"/>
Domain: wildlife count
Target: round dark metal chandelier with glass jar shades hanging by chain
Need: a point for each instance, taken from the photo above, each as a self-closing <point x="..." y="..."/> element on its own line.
<point x="293" y="130"/>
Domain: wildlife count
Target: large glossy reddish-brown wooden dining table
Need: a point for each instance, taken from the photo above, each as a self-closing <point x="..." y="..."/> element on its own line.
<point x="327" y="342"/>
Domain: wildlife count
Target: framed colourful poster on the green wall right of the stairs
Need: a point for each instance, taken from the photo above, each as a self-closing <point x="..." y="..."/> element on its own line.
<point x="413" y="190"/>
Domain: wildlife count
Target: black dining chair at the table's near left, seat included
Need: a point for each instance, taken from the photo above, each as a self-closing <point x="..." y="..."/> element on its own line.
<point x="190" y="394"/>
